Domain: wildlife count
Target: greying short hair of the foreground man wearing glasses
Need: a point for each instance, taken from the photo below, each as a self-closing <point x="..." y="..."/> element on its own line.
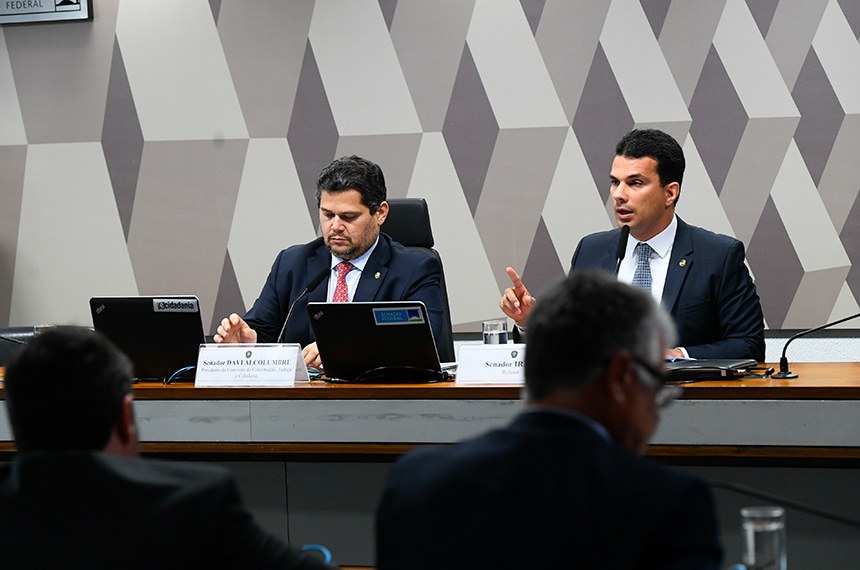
<point x="581" y="322"/>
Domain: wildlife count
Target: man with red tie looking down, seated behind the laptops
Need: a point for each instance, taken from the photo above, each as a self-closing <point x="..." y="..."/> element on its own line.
<point x="351" y="195"/>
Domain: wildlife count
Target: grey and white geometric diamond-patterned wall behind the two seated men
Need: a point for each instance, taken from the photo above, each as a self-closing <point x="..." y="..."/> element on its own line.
<point x="172" y="147"/>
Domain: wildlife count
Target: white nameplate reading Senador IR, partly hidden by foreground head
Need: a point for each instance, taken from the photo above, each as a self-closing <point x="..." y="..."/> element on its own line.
<point x="491" y="364"/>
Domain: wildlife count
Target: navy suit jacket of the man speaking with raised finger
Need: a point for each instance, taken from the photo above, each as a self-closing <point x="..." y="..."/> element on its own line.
<point x="708" y="291"/>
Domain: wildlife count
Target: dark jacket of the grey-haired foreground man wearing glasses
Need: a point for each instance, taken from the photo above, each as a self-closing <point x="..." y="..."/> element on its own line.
<point x="544" y="492"/>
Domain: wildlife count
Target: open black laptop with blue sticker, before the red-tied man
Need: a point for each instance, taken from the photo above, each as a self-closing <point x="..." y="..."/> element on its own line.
<point x="376" y="341"/>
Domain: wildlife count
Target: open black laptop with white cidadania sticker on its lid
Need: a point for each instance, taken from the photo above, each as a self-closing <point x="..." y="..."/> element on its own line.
<point x="161" y="335"/>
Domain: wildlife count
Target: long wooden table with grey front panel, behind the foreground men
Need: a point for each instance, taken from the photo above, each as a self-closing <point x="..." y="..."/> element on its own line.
<point x="293" y="449"/>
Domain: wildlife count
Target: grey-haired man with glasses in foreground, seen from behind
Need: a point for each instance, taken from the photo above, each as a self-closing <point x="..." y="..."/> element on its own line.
<point x="563" y="485"/>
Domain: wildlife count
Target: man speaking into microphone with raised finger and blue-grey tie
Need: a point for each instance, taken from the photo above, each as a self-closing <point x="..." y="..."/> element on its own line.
<point x="699" y="276"/>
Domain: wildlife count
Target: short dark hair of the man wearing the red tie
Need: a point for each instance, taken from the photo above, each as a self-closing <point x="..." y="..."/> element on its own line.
<point x="354" y="173"/>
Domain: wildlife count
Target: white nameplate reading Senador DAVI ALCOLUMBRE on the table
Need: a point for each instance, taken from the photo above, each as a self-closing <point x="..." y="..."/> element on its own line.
<point x="232" y="365"/>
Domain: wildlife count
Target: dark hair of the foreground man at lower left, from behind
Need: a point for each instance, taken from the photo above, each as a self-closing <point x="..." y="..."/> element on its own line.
<point x="64" y="390"/>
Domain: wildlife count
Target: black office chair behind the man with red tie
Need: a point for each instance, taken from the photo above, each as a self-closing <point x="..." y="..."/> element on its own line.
<point x="408" y="222"/>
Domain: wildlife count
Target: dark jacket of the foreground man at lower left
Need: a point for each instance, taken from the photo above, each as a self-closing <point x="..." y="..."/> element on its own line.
<point x="94" y="510"/>
